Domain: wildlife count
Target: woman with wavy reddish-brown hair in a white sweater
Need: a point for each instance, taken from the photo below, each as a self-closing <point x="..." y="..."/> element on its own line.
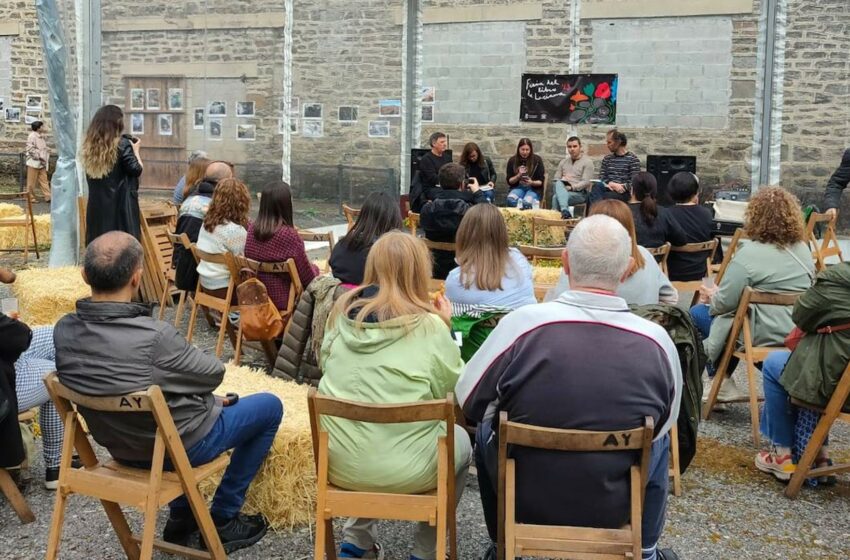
<point x="224" y="231"/>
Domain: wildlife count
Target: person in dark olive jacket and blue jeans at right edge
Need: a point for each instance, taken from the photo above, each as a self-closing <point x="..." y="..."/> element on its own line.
<point x="809" y="374"/>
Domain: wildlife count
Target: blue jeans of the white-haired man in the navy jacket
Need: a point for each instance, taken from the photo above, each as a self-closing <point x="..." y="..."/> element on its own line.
<point x="654" y="505"/>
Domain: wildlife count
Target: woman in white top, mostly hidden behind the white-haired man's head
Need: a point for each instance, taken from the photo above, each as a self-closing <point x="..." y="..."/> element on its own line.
<point x="645" y="283"/>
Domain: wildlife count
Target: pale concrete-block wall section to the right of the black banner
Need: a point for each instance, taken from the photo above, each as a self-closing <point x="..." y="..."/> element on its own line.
<point x="673" y="72"/>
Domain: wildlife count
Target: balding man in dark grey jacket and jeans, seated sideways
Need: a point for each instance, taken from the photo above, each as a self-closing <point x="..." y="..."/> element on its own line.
<point x="112" y="346"/>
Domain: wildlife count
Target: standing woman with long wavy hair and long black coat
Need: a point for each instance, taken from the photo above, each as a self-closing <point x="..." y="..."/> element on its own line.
<point x="113" y="166"/>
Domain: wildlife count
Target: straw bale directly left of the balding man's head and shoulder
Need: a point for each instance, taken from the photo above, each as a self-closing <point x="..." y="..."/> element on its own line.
<point x="46" y="294"/>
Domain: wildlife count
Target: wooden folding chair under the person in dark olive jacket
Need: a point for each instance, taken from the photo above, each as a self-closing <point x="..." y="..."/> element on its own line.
<point x="836" y="409"/>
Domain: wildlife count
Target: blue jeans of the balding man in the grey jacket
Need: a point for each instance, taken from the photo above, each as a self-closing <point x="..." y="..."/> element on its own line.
<point x="248" y="427"/>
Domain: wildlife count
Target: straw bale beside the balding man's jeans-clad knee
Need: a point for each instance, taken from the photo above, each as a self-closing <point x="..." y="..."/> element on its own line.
<point x="285" y="488"/>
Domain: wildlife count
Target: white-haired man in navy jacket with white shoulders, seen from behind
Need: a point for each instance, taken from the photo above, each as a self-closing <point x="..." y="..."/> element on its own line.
<point x="536" y="366"/>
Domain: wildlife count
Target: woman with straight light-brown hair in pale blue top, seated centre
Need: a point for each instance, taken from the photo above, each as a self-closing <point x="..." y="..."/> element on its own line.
<point x="489" y="271"/>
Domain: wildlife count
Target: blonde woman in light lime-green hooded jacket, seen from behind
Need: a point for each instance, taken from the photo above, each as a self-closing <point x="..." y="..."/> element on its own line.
<point x="386" y="342"/>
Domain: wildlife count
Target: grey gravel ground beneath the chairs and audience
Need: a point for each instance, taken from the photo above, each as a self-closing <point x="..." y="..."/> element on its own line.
<point x="728" y="509"/>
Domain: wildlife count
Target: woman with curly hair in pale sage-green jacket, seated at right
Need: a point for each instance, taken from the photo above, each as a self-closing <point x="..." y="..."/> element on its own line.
<point x="773" y="258"/>
